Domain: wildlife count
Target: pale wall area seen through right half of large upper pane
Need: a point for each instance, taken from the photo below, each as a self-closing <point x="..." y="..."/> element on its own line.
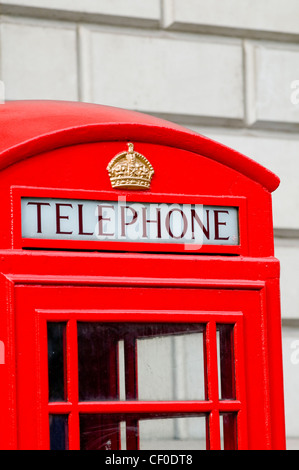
<point x="171" y="364"/>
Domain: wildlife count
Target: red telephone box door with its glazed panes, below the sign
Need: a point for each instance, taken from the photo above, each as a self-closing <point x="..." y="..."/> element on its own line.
<point x="140" y="366"/>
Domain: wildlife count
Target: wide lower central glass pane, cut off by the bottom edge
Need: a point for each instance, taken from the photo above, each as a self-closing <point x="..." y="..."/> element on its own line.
<point x="129" y="432"/>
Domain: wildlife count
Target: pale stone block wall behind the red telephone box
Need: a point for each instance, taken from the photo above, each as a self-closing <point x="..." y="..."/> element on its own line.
<point x="228" y="69"/>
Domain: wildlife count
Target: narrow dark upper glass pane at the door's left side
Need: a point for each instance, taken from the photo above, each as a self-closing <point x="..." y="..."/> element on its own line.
<point x="56" y="361"/>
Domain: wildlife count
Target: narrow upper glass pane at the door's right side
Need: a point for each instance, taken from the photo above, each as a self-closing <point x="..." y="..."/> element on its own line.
<point x="226" y="361"/>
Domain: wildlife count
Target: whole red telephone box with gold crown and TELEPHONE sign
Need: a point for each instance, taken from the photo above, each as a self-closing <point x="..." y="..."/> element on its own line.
<point x="140" y="304"/>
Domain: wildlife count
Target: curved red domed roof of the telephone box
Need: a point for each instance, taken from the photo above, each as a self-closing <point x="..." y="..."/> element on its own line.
<point x="32" y="127"/>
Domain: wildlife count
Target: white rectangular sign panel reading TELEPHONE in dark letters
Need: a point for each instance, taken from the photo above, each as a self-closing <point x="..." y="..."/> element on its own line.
<point x="72" y="219"/>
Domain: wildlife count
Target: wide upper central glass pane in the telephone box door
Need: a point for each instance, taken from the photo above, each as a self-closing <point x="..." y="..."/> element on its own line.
<point x="141" y="361"/>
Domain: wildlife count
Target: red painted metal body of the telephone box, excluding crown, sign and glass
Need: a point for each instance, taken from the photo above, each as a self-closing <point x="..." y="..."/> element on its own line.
<point x="61" y="150"/>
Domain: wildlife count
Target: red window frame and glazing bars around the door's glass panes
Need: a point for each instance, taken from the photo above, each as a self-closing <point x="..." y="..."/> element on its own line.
<point x="212" y="407"/>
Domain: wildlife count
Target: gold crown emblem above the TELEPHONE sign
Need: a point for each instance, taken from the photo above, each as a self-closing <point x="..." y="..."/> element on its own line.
<point x="130" y="170"/>
